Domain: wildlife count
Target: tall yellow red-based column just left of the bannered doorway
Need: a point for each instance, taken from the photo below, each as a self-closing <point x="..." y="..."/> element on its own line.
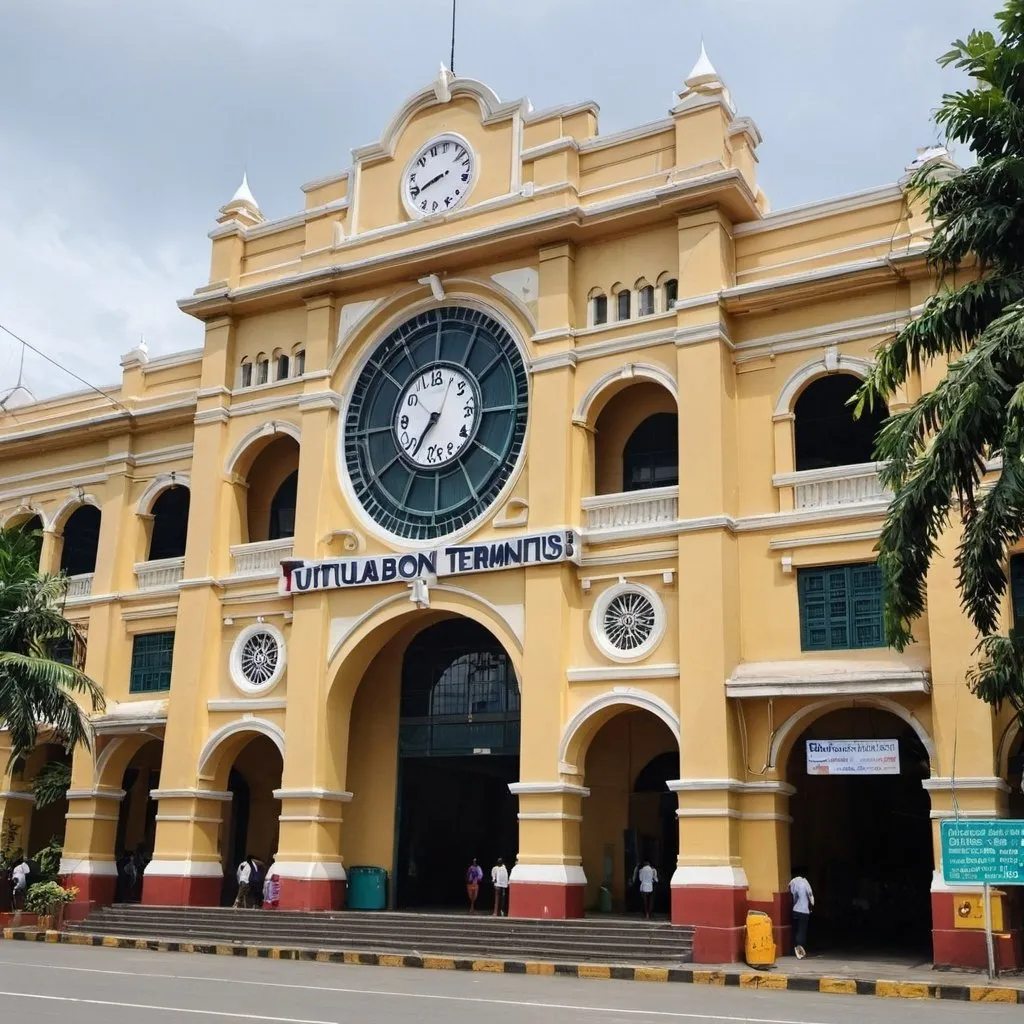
<point x="709" y="886"/>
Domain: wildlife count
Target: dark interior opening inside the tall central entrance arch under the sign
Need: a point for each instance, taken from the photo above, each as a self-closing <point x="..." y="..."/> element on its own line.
<point x="459" y="750"/>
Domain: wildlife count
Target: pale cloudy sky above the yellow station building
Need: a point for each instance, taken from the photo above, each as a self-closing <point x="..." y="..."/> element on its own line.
<point x="125" y="124"/>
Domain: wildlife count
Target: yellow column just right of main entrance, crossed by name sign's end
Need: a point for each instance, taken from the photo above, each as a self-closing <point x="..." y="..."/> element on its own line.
<point x="548" y="880"/>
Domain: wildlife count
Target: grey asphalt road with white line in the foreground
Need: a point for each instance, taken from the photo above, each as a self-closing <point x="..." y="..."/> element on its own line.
<point x="41" y="984"/>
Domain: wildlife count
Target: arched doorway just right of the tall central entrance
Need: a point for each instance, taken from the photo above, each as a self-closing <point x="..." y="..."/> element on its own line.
<point x="630" y="816"/>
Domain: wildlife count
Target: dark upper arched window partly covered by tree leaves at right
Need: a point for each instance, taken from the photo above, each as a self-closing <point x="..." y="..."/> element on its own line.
<point x="826" y="433"/>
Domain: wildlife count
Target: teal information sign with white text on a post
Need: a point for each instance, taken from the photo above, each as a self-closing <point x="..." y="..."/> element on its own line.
<point x="982" y="851"/>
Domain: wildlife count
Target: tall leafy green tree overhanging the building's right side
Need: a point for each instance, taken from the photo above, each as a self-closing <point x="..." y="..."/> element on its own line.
<point x="936" y="450"/>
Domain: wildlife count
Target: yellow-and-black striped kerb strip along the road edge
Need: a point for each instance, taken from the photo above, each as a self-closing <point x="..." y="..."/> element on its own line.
<point x="887" y="979"/>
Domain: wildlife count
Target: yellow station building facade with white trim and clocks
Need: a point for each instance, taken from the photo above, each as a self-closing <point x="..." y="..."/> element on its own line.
<point x="513" y="507"/>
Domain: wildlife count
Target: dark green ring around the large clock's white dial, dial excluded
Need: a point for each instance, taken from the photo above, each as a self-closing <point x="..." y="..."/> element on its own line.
<point x="423" y="503"/>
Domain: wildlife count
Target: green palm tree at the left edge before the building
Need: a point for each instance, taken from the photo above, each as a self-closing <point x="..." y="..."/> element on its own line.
<point x="36" y="691"/>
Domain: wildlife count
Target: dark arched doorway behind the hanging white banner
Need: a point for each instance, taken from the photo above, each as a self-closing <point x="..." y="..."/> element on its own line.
<point x="865" y="842"/>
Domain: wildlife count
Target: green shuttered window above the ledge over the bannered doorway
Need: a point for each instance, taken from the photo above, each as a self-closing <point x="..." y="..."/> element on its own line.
<point x="841" y="608"/>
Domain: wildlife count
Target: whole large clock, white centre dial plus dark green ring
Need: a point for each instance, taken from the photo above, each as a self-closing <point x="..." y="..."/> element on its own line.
<point x="436" y="422"/>
